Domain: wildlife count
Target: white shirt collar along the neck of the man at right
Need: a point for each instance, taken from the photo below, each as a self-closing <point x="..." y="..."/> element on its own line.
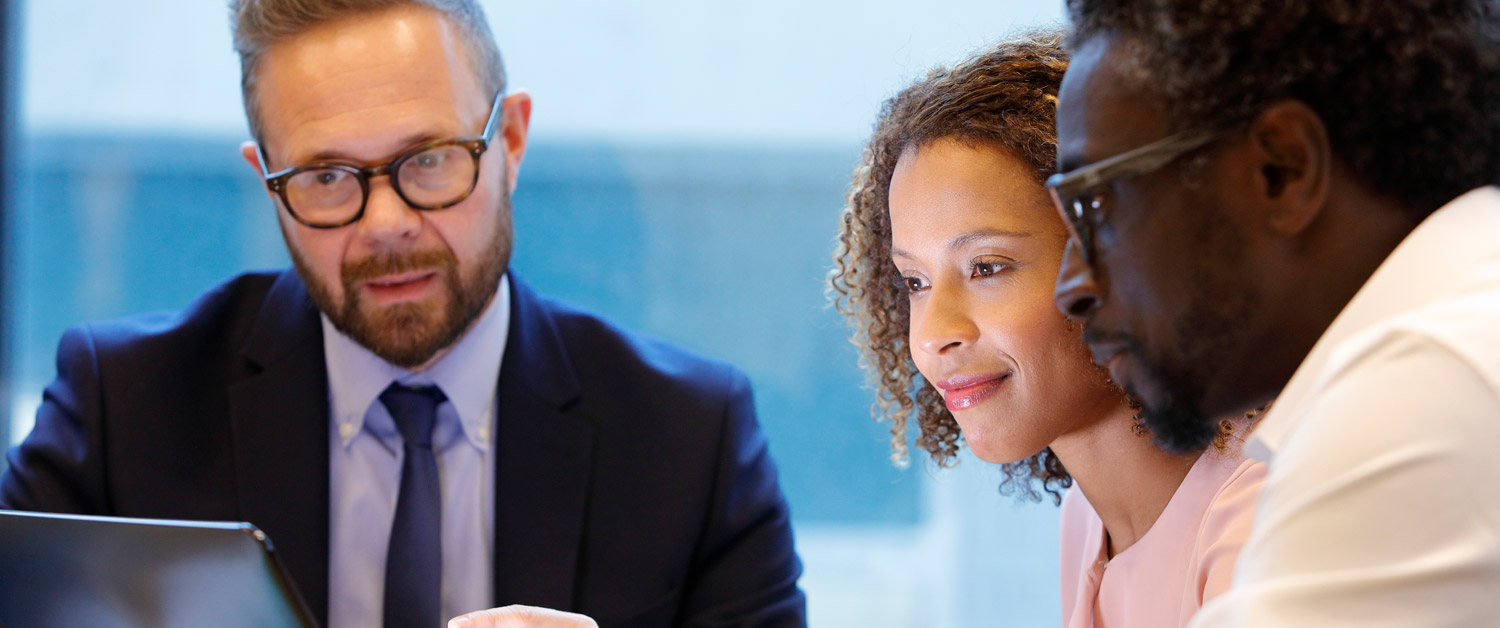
<point x="1427" y="266"/>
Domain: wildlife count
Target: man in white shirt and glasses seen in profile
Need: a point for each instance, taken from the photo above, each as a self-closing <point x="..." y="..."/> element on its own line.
<point x="1295" y="202"/>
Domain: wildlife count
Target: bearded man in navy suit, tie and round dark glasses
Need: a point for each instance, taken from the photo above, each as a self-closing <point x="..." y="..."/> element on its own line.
<point x="419" y="432"/>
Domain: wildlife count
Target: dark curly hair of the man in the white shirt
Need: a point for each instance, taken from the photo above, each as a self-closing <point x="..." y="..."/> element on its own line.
<point x="1409" y="91"/>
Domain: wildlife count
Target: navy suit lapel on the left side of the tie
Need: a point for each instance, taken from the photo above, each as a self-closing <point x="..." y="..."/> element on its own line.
<point x="281" y="437"/>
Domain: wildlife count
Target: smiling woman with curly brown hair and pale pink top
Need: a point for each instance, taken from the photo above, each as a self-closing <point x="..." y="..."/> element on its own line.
<point x="947" y="257"/>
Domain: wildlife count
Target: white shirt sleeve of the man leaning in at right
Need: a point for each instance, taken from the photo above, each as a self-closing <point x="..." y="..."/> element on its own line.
<point x="1382" y="509"/>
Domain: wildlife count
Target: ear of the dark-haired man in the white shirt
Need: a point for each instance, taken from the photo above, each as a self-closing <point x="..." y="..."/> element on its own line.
<point x="1295" y="164"/>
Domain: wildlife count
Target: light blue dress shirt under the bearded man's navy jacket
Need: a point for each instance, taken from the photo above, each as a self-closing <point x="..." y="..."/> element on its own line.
<point x="365" y="456"/>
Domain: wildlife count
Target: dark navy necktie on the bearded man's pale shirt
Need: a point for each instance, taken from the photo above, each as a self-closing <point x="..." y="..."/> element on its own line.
<point x="415" y="561"/>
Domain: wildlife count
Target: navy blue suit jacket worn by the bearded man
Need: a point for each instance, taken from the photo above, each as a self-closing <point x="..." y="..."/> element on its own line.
<point x="634" y="482"/>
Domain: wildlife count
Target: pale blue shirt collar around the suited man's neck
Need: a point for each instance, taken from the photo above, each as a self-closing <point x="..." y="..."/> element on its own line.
<point x="469" y="374"/>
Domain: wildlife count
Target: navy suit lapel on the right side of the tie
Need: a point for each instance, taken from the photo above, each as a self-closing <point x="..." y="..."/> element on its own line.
<point x="544" y="465"/>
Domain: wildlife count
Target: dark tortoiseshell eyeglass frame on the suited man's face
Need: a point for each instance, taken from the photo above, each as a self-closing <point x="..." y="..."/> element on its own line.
<point x="476" y="148"/>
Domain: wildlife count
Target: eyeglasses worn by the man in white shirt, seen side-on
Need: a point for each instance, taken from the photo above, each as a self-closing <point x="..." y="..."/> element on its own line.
<point x="1072" y="193"/>
